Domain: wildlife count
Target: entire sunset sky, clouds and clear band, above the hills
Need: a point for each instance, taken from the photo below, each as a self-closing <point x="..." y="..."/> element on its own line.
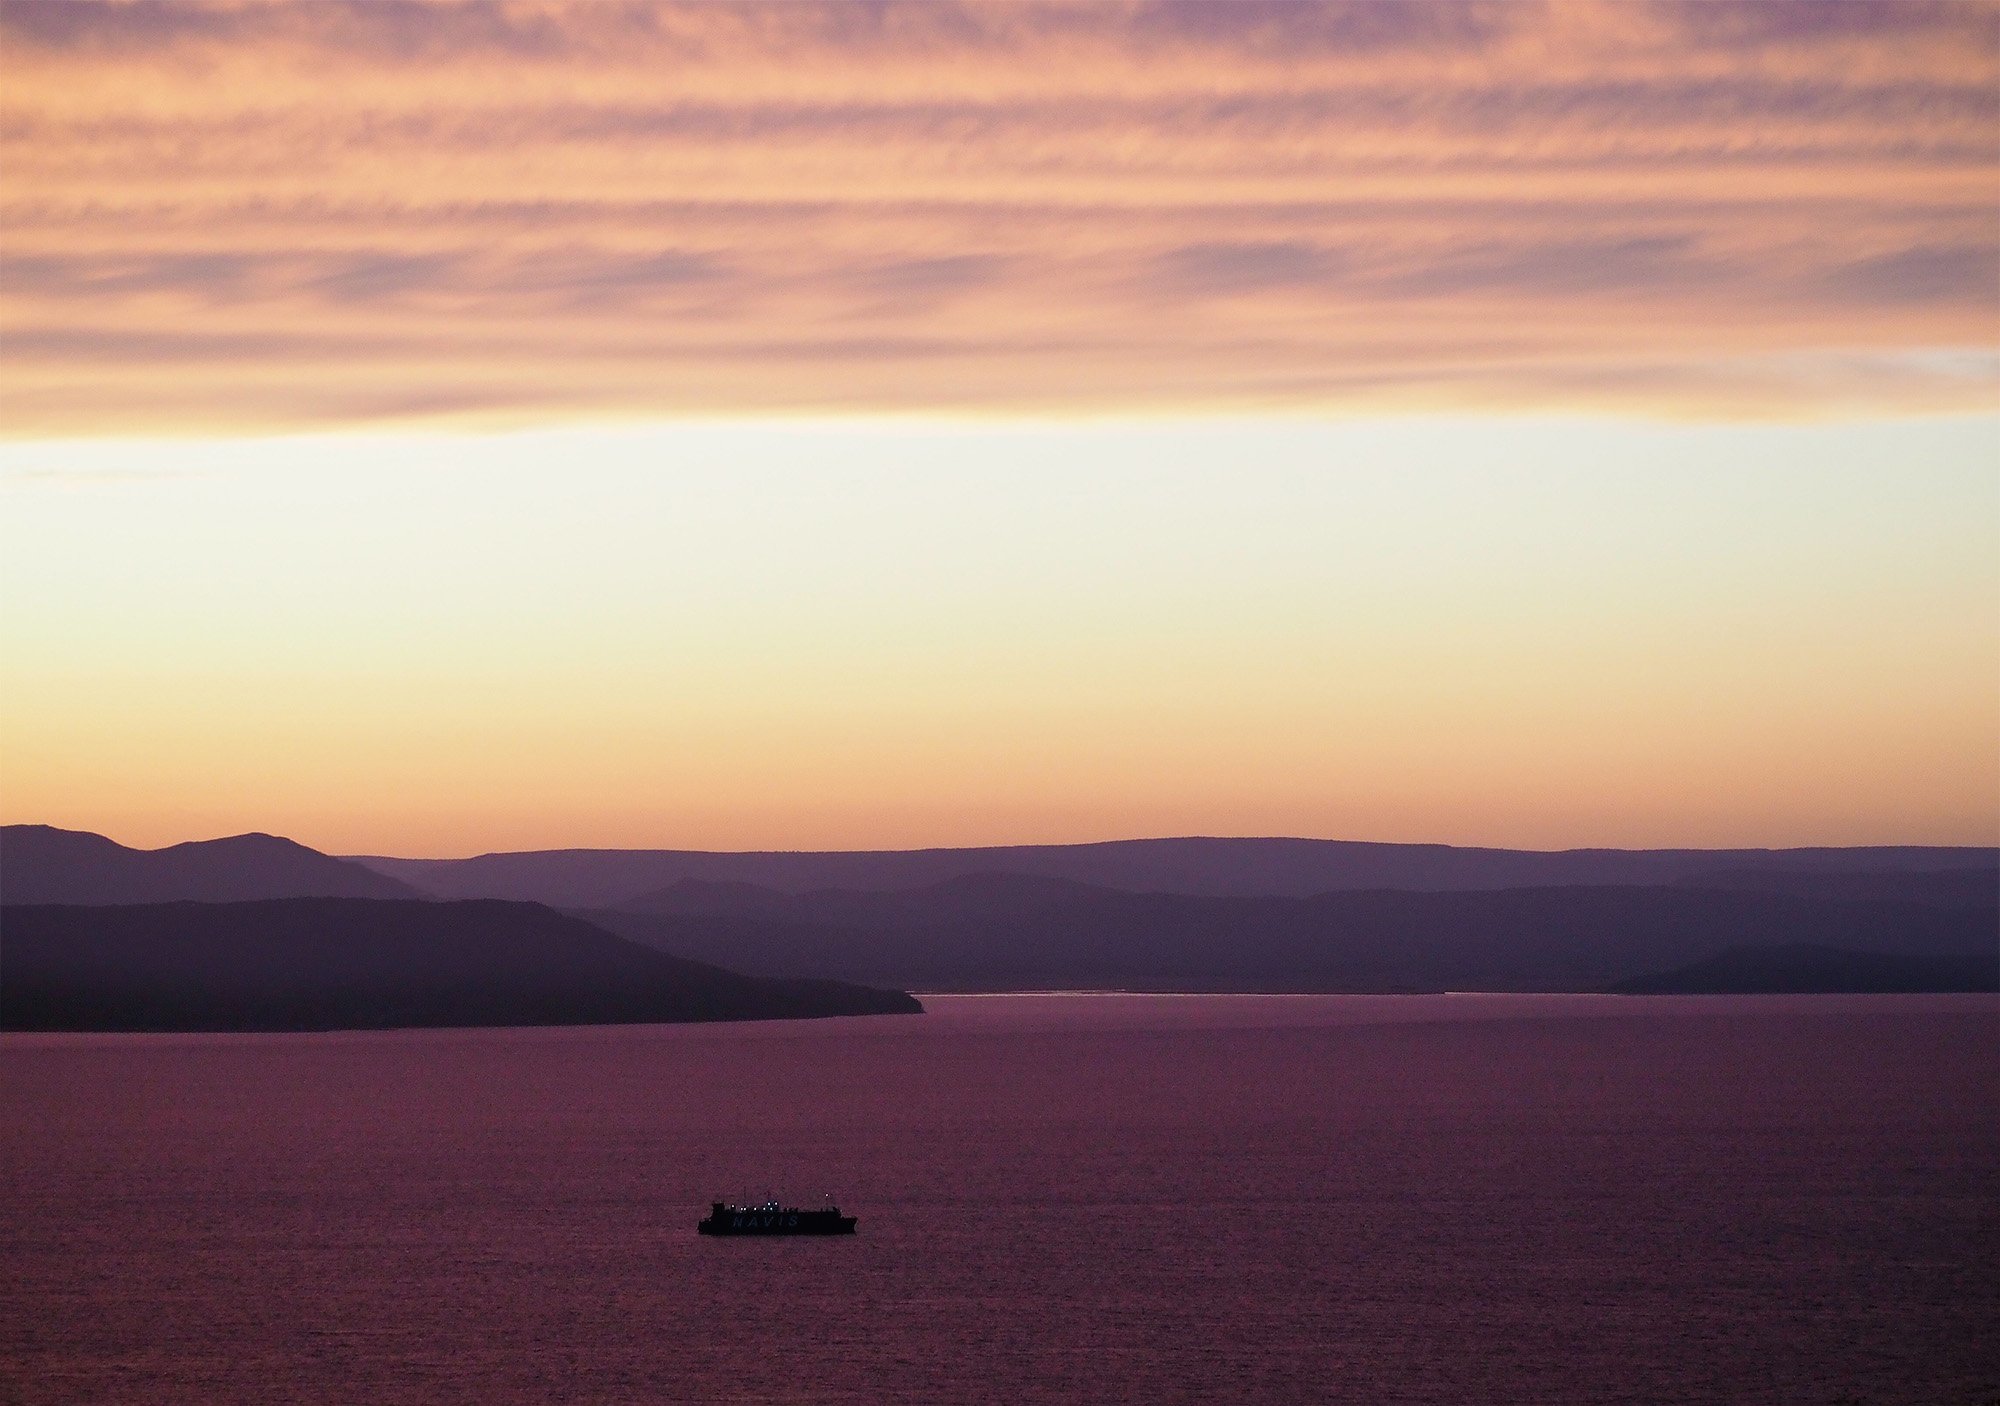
<point x="437" y="429"/>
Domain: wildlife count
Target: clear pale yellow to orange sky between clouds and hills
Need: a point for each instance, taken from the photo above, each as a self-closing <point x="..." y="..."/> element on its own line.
<point x="895" y="635"/>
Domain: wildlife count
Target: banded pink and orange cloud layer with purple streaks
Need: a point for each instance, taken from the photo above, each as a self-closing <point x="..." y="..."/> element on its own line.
<point x="241" y="215"/>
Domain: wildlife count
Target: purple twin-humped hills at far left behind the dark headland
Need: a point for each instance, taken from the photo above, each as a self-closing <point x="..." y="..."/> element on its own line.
<point x="43" y="865"/>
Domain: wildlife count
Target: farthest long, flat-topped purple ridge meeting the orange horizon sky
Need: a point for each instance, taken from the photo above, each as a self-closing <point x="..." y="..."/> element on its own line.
<point x="1195" y="865"/>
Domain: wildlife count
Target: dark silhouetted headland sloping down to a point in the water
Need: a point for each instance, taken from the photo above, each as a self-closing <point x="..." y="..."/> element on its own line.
<point x="345" y="965"/>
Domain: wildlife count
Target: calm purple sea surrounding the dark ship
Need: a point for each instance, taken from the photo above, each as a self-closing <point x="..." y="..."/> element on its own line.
<point x="1063" y="1199"/>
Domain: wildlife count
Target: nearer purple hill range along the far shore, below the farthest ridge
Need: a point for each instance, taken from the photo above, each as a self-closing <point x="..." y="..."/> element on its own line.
<point x="1009" y="931"/>
